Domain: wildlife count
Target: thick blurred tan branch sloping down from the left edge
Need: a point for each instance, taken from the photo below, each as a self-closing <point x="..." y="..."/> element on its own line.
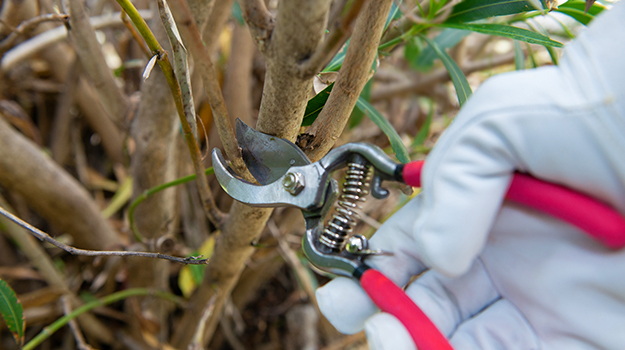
<point x="26" y="170"/>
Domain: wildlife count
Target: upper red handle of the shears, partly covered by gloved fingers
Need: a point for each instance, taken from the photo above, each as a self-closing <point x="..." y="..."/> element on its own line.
<point x="595" y="218"/>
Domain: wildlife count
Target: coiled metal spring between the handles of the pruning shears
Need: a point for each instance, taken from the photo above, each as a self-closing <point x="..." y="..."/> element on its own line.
<point x="355" y="188"/>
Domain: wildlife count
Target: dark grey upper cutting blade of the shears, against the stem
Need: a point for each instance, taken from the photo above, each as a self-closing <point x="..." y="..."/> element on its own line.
<point x="267" y="157"/>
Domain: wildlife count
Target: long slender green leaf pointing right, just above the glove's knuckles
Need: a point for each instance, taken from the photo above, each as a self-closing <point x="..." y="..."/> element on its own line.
<point x="506" y="31"/>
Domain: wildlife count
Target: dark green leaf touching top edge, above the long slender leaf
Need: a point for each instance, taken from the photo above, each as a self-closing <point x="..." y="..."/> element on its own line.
<point x="473" y="10"/>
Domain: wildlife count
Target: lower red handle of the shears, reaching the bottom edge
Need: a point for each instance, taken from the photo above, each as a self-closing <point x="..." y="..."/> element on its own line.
<point x="392" y="299"/>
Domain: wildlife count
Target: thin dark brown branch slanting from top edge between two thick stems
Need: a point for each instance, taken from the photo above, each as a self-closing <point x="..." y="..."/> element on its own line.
<point x="341" y="31"/>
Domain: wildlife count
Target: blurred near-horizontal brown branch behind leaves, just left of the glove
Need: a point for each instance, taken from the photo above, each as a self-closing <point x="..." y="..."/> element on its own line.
<point x="424" y="84"/>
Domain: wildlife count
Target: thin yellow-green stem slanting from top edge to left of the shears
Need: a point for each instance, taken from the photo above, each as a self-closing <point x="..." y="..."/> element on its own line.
<point x="212" y="212"/>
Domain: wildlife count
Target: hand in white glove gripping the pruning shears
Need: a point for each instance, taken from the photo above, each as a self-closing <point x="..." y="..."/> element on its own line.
<point x="502" y="276"/>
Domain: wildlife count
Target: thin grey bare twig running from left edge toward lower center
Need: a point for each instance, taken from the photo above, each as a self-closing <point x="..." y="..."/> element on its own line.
<point x="42" y="236"/>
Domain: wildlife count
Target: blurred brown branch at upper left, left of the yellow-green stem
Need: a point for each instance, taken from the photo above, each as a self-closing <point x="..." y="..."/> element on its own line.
<point x="94" y="65"/>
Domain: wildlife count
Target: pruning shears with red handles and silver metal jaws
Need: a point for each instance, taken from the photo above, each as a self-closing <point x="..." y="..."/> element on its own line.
<point x="286" y="177"/>
